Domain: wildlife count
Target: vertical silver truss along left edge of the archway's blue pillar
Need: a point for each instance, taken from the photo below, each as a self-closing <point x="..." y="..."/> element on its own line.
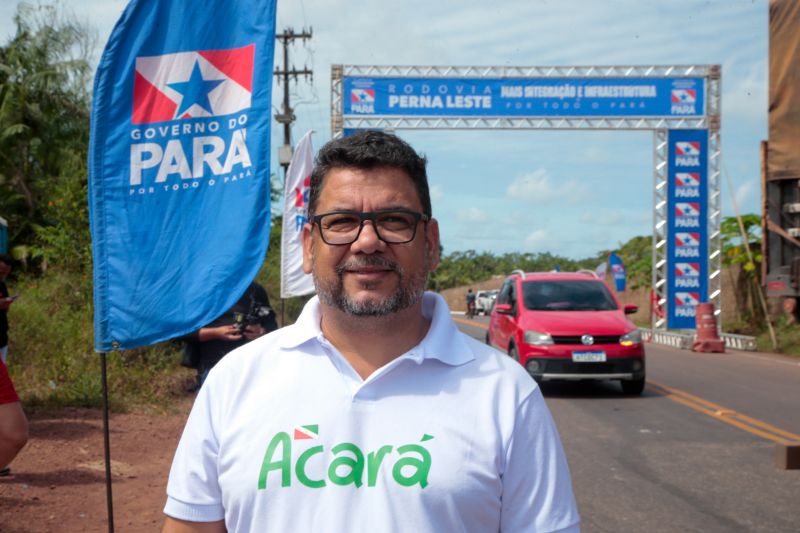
<point x="660" y="233"/>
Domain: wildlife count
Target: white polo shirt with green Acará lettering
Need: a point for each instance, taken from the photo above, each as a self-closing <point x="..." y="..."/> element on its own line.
<point x="451" y="436"/>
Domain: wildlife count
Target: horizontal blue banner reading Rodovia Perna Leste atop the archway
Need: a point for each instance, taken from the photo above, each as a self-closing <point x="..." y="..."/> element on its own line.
<point x="528" y="97"/>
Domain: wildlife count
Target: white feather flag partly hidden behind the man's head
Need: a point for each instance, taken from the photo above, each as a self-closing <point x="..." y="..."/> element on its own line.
<point x="295" y="282"/>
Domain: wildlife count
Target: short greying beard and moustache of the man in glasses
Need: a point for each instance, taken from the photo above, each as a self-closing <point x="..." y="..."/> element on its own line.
<point x="410" y="288"/>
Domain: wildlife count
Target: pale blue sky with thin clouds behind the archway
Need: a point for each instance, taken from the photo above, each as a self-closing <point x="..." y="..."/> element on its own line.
<point x="569" y="193"/>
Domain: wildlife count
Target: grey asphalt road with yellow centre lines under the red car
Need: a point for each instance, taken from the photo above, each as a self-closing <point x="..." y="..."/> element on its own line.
<point x="694" y="453"/>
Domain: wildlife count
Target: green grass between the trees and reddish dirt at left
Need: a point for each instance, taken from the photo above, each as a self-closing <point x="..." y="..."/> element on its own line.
<point x="53" y="363"/>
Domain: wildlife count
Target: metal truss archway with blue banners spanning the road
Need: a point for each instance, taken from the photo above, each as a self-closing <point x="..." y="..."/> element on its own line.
<point x="679" y="103"/>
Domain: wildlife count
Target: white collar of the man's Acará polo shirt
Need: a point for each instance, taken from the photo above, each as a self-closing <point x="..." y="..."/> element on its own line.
<point x="442" y="342"/>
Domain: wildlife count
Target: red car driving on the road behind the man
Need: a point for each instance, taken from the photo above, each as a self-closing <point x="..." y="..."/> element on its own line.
<point x="567" y="326"/>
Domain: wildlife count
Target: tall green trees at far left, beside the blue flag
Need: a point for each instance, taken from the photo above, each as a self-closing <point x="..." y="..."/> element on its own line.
<point x="44" y="117"/>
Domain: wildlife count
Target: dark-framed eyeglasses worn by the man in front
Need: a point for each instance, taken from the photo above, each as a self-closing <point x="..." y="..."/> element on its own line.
<point x="393" y="226"/>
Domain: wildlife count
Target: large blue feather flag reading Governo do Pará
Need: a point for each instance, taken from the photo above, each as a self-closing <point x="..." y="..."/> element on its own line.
<point x="179" y="165"/>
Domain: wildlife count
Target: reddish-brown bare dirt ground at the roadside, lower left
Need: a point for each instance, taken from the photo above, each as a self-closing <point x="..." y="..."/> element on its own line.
<point x="58" y="481"/>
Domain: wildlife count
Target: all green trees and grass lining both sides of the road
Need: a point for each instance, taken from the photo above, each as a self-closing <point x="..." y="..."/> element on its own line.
<point x="45" y="75"/>
